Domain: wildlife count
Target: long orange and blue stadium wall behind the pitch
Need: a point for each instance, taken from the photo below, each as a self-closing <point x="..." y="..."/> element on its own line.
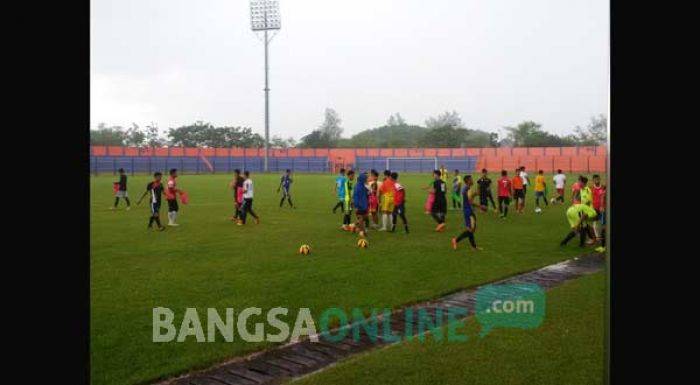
<point x="108" y="159"/>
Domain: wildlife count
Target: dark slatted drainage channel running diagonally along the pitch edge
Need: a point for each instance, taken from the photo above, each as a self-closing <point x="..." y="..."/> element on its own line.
<point x="295" y="360"/>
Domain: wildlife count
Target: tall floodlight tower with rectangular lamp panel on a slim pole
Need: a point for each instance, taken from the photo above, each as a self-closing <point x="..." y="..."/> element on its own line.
<point x="265" y="16"/>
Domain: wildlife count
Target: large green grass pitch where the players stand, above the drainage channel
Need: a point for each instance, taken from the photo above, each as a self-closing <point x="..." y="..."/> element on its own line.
<point x="210" y="262"/>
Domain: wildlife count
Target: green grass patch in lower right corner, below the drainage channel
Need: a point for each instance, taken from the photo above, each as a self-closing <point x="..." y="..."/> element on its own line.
<point x="566" y="349"/>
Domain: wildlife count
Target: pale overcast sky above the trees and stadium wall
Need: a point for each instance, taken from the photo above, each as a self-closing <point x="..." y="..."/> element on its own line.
<point x="496" y="62"/>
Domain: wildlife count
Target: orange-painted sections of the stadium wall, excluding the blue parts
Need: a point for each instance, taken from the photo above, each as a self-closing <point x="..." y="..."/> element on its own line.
<point x="593" y="158"/>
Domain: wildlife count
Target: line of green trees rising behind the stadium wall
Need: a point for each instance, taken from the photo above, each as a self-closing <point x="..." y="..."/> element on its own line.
<point x="444" y="130"/>
